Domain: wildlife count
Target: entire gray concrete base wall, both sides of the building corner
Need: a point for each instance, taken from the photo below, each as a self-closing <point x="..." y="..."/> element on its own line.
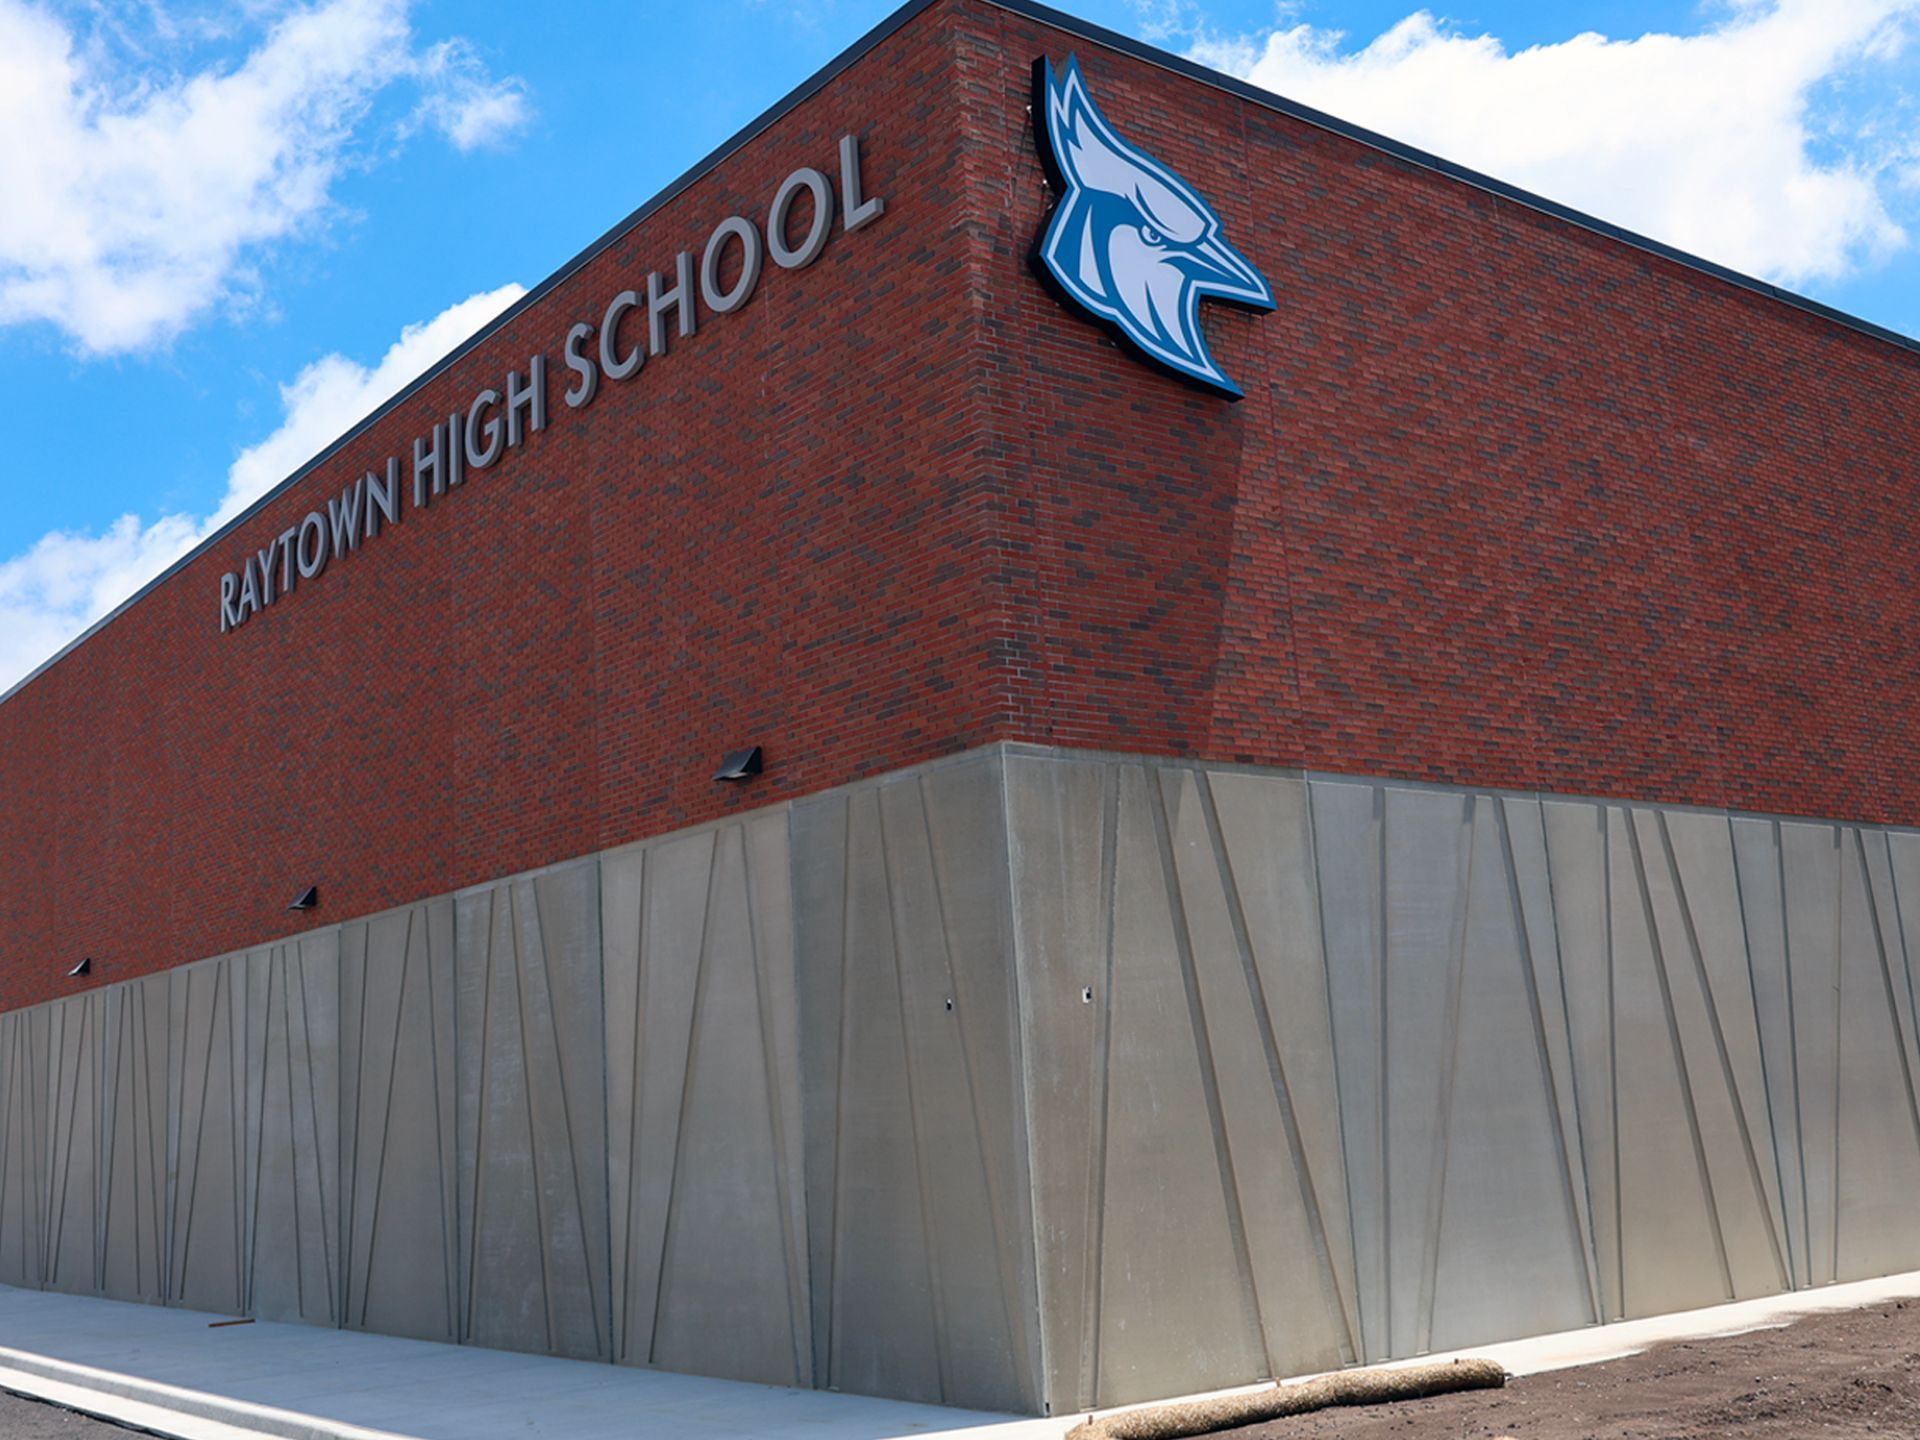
<point x="1028" y="1080"/>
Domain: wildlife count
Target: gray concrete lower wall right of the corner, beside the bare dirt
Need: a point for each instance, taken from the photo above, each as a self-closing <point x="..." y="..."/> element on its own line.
<point x="1328" y="1070"/>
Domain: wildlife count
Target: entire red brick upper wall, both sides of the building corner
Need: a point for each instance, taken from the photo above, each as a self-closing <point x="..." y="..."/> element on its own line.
<point x="1506" y="504"/>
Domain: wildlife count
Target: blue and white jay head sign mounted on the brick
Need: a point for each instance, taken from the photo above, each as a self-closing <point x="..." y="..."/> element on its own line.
<point x="1130" y="241"/>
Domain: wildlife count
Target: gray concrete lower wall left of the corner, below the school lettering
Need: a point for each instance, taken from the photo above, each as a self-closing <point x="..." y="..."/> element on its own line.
<point x="640" y="1109"/>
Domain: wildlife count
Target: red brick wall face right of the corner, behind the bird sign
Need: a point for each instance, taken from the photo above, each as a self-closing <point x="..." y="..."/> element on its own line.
<point x="1506" y="504"/>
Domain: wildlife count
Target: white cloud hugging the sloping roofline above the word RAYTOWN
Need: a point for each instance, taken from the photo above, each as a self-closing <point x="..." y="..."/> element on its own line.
<point x="66" y="581"/>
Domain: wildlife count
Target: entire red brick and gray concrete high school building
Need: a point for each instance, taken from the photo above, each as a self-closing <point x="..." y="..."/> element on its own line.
<point x="1412" y="855"/>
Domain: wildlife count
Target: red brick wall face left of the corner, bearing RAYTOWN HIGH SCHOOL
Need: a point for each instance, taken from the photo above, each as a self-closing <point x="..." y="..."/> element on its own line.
<point x="769" y="535"/>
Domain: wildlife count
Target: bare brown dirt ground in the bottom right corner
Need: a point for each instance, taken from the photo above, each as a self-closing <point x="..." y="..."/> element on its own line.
<point x="1852" y="1374"/>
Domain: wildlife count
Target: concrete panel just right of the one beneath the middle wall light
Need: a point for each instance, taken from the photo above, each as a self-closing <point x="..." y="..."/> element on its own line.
<point x="400" y="1226"/>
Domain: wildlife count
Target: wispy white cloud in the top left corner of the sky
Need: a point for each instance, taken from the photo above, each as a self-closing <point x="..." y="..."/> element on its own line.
<point x="133" y="206"/>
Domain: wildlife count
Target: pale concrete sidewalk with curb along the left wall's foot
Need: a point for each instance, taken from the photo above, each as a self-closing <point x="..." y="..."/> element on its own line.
<point x="172" y="1374"/>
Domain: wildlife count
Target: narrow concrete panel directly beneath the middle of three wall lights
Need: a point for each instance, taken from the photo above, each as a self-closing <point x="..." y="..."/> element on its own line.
<point x="293" y="1088"/>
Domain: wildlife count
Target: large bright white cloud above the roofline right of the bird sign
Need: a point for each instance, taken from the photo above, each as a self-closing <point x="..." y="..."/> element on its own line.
<point x="1729" y="143"/>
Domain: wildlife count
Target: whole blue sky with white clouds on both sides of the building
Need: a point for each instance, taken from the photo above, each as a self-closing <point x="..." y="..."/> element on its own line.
<point x="229" y="228"/>
